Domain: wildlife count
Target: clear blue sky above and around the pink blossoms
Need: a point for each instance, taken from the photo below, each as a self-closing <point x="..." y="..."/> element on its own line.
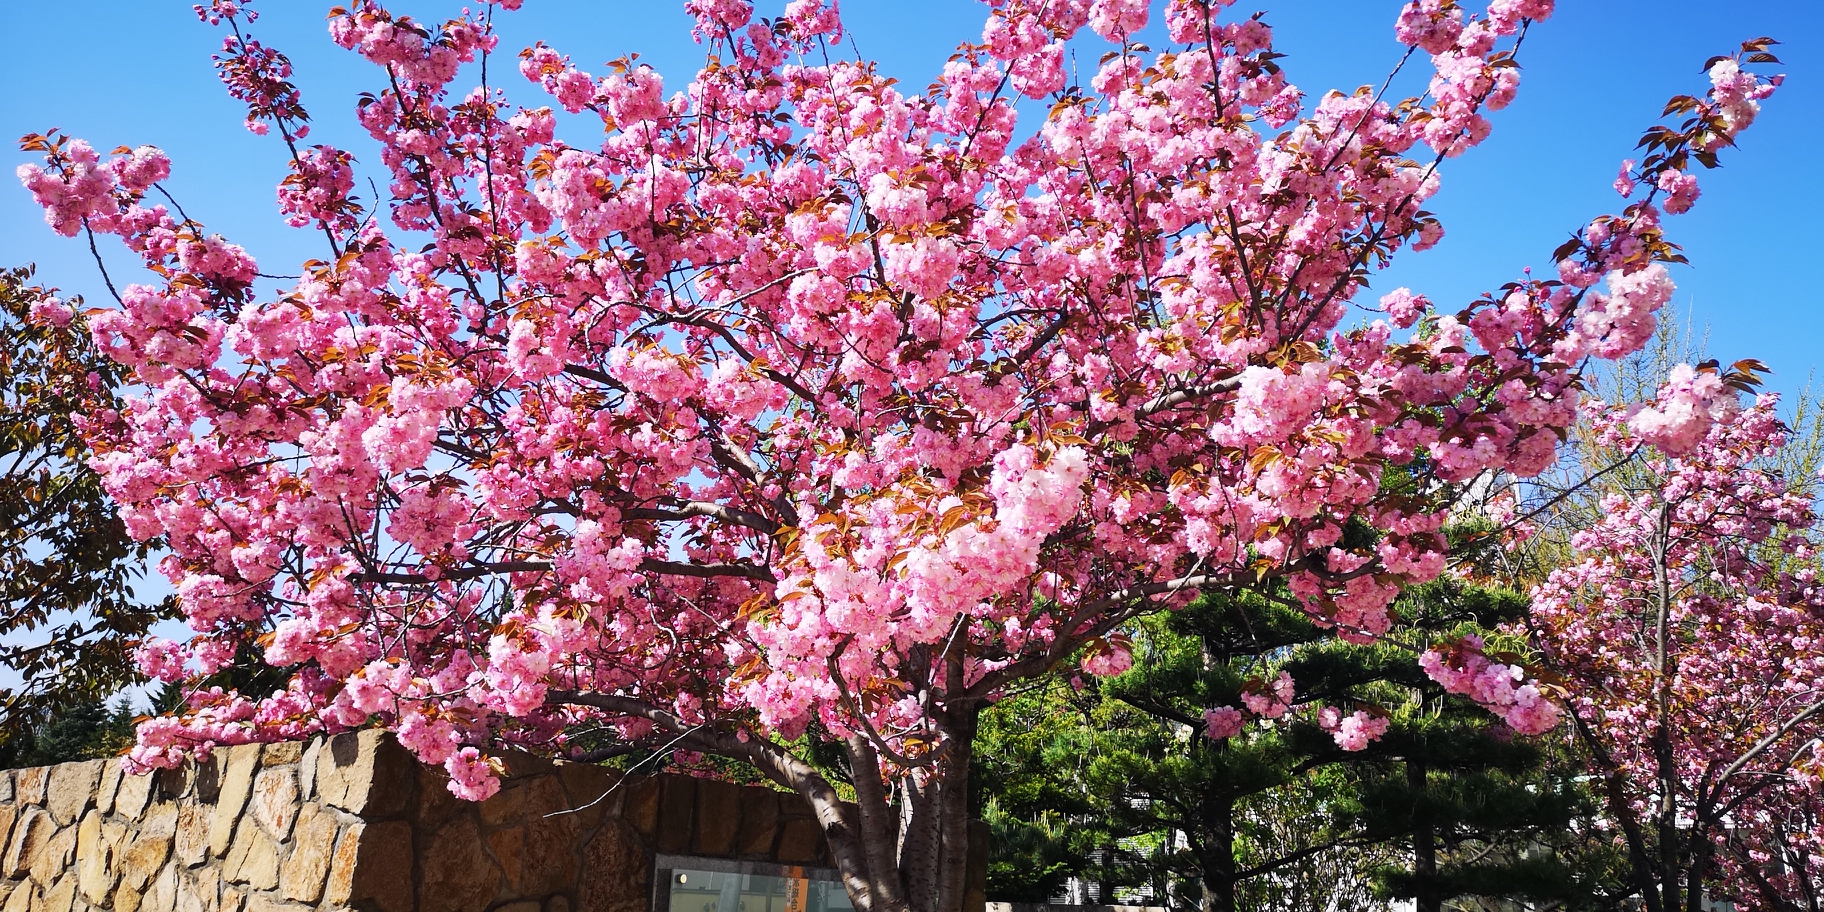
<point x="1595" y="78"/>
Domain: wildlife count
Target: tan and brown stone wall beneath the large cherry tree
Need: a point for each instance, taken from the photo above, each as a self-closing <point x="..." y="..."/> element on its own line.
<point x="357" y="824"/>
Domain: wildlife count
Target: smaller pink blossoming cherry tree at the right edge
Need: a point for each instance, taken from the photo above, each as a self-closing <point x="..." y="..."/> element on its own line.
<point x="1686" y="628"/>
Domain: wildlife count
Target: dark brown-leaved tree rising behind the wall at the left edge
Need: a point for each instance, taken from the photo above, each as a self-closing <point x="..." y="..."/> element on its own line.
<point x="68" y="614"/>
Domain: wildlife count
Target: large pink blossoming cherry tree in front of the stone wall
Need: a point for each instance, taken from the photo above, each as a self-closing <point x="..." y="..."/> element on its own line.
<point x="809" y="406"/>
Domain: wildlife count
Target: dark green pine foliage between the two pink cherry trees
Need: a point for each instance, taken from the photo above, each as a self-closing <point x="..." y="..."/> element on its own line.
<point x="1446" y="805"/>
